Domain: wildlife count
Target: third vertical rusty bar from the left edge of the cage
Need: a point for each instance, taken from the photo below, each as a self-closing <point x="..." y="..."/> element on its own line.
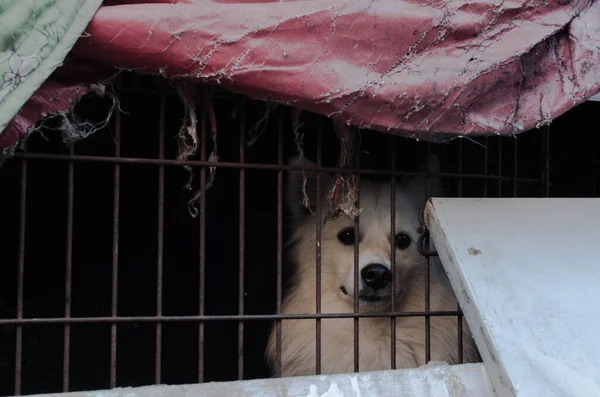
<point x="115" y="253"/>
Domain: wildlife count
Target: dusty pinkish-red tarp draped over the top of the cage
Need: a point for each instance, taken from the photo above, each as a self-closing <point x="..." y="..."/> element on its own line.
<point x="429" y="69"/>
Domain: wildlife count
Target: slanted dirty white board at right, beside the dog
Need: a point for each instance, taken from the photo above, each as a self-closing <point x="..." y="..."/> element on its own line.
<point x="527" y="275"/>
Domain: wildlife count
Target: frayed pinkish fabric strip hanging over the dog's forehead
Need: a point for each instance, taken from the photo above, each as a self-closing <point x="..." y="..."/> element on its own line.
<point x="344" y="194"/>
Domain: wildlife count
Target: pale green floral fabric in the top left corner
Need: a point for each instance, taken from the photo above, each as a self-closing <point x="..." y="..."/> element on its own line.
<point x="35" y="37"/>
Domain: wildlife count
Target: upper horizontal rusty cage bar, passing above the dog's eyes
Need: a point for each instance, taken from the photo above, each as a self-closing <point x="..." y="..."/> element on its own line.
<point x="257" y="166"/>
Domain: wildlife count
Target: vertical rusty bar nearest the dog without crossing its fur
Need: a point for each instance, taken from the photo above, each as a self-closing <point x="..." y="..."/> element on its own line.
<point x="242" y="214"/>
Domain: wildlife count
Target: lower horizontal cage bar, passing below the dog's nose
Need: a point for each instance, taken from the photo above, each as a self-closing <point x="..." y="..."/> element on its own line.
<point x="232" y="317"/>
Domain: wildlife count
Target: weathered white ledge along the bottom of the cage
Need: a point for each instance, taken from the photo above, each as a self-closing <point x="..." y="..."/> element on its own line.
<point x="466" y="380"/>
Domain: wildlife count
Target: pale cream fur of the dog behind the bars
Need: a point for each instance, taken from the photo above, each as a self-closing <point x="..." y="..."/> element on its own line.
<point x="298" y="338"/>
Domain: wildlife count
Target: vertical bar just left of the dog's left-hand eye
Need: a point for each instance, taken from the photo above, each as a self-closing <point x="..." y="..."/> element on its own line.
<point x="318" y="225"/>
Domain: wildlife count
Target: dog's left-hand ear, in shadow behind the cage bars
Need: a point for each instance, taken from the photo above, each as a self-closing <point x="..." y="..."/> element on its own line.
<point x="301" y="189"/>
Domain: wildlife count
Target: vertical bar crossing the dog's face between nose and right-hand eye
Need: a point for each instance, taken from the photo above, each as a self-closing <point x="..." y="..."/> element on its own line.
<point x="393" y="250"/>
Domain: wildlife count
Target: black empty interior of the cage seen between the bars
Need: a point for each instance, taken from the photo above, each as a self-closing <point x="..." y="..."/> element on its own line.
<point x="574" y="169"/>
